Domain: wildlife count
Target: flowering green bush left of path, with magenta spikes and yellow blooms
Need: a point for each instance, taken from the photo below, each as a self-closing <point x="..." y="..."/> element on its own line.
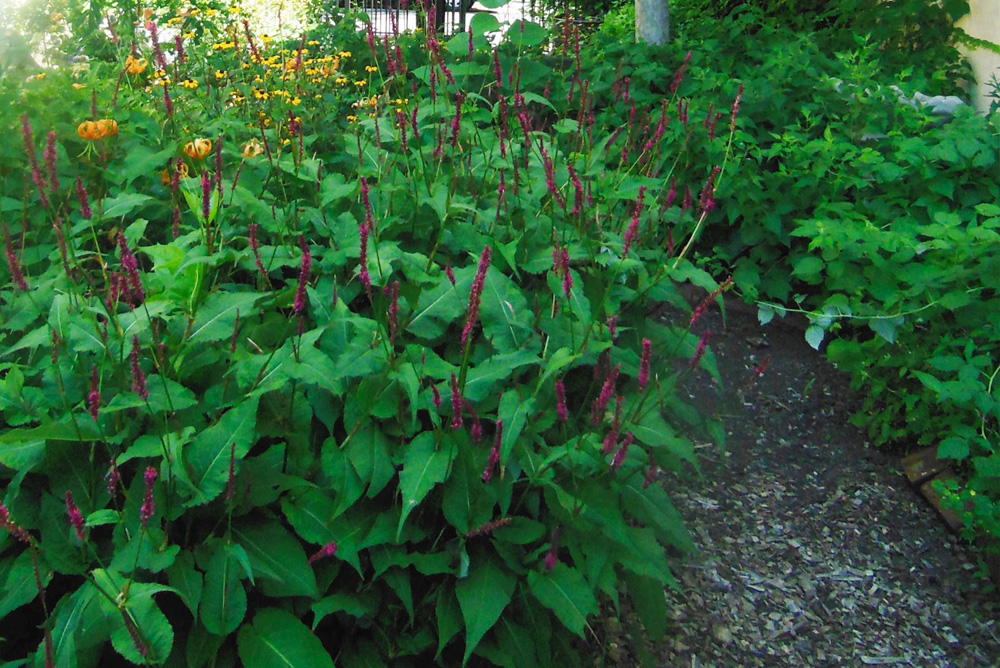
<point x="338" y="349"/>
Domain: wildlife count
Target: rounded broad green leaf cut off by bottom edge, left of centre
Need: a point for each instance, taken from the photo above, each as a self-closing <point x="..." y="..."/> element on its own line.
<point x="277" y="639"/>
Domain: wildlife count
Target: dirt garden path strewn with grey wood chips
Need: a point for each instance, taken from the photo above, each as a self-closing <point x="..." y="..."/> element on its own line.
<point x="813" y="548"/>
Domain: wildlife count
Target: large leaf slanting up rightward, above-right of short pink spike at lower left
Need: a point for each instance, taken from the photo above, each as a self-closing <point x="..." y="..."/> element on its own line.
<point x="208" y="456"/>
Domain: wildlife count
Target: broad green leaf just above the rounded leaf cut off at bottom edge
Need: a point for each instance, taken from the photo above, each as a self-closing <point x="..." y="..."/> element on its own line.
<point x="277" y="557"/>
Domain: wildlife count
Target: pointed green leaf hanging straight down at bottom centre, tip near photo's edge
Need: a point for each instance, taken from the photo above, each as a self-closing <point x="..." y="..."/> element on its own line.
<point x="482" y="597"/>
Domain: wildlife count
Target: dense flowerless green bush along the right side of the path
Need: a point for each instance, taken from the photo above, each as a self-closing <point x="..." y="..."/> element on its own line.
<point x="875" y="219"/>
